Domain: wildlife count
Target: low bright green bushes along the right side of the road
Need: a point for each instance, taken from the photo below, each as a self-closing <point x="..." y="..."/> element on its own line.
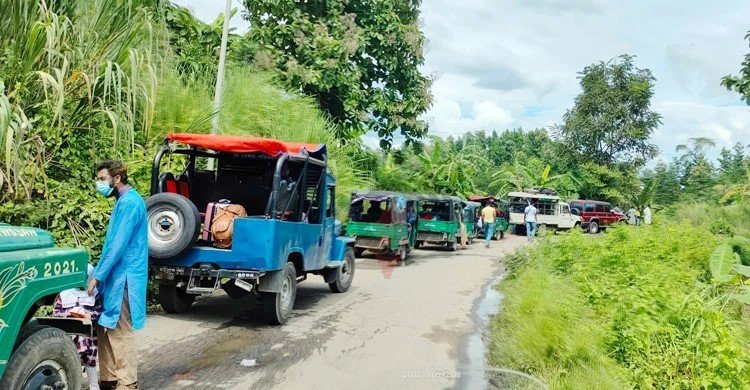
<point x="642" y="295"/>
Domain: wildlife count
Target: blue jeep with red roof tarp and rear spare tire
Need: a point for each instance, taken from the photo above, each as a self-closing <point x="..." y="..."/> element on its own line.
<point x="290" y="230"/>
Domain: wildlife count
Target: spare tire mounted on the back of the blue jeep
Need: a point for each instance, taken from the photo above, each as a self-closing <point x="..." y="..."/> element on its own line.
<point x="173" y="225"/>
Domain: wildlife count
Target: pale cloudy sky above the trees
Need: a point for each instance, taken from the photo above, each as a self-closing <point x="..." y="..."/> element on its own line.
<point x="502" y="64"/>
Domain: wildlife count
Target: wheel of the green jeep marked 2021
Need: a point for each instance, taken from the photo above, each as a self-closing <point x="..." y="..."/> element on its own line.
<point x="47" y="359"/>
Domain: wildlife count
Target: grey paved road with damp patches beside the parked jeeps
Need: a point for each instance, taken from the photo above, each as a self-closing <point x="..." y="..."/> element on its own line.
<point x="395" y="326"/>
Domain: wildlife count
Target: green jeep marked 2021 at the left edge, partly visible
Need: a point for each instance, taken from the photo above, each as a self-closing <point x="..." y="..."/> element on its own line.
<point x="38" y="353"/>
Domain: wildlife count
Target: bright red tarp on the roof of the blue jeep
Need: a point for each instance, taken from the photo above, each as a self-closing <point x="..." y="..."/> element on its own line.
<point x="244" y="144"/>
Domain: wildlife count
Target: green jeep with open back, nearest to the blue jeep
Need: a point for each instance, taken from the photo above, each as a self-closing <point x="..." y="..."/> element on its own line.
<point x="382" y="222"/>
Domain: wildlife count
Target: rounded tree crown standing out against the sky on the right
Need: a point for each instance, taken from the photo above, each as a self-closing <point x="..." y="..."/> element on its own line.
<point x="612" y="120"/>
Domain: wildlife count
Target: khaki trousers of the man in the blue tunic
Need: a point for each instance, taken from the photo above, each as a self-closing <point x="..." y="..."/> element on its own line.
<point x="116" y="357"/>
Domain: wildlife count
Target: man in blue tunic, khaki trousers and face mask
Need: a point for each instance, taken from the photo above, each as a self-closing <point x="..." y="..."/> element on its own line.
<point x="120" y="277"/>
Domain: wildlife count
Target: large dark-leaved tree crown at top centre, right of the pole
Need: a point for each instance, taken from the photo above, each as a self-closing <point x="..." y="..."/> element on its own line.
<point x="359" y="59"/>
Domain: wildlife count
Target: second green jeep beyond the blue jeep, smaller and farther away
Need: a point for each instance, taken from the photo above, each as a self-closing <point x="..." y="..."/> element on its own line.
<point x="439" y="220"/>
